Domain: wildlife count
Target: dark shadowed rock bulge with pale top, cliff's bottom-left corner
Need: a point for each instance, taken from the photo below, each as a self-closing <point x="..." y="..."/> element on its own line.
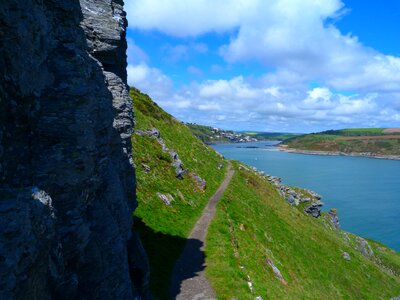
<point x="30" y="252"/>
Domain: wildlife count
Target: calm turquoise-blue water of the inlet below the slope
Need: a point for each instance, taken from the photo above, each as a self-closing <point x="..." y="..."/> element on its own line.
<point x="365" y="191"/>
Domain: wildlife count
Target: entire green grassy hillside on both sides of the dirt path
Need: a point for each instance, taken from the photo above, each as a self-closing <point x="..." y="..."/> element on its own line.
<point x="253" y="223"/>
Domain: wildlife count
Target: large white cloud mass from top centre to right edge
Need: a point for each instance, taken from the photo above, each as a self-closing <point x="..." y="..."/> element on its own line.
<point x="293" y="36"/>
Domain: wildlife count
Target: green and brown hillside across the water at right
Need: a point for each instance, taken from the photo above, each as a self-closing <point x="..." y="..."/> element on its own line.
<point x="374" y="141"/>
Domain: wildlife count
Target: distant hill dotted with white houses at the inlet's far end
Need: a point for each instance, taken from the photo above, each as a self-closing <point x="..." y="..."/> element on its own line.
<point x="212" y="135"/>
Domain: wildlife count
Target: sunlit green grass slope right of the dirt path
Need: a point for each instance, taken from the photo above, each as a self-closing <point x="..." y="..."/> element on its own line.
<point x="256" y="223"/>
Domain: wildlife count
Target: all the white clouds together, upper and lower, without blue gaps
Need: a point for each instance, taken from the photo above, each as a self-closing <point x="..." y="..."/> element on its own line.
<point x="298" y="40"/>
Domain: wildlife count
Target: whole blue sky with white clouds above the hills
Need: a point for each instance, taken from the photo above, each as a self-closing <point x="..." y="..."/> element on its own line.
<point x="268" y="65"/>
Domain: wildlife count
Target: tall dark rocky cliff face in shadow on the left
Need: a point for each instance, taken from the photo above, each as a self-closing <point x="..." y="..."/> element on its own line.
<point x="67" y="183"/>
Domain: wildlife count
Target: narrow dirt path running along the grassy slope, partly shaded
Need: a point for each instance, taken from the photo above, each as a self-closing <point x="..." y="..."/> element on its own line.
<point x="188" y="278"/>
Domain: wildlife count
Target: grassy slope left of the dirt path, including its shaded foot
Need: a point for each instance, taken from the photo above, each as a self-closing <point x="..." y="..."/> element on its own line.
<point x="163" y="228"/>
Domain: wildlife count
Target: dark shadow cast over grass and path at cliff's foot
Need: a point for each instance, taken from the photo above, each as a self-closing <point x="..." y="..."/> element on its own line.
<point x="163" y="251"/>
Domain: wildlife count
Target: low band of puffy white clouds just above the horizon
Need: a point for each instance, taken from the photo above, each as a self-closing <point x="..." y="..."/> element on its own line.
<point x="241" y="103"/>
